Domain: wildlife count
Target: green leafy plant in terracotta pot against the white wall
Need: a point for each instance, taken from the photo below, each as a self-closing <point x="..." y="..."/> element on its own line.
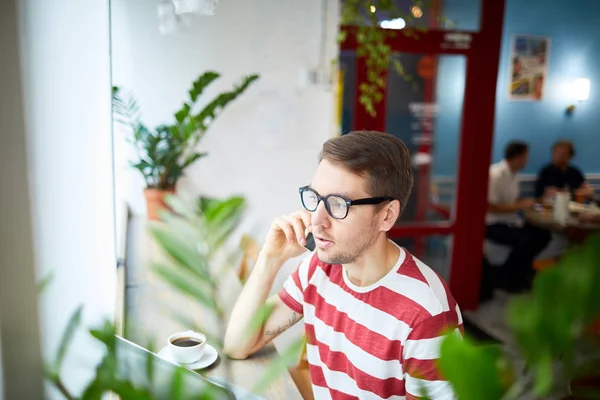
<point x="167" y="150"/>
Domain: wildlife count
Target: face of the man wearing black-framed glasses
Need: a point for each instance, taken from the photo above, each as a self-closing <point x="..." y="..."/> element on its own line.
<point x="343" y="241"/>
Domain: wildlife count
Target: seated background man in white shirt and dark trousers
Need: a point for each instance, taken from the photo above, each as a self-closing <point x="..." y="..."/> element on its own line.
<point x="505" y="225"/>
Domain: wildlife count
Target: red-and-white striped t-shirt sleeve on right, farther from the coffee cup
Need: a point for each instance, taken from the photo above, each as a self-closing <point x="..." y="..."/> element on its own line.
<point x="421" y="353"/>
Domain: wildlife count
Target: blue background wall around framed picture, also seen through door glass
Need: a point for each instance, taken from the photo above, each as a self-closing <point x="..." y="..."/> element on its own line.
<point x="574" y="30"/>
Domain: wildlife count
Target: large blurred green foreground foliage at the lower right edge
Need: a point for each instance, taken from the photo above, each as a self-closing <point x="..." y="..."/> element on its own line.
<point x="552" y="321"/>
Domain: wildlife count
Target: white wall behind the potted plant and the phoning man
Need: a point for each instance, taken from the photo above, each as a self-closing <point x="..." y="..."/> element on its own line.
<point x="264" y="145"/>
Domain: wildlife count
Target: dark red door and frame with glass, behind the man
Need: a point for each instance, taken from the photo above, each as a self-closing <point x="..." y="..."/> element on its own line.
<point x="429" y="223"/>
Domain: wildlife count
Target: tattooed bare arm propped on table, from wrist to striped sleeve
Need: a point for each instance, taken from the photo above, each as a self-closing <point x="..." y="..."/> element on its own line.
<point x="245" y="335"/>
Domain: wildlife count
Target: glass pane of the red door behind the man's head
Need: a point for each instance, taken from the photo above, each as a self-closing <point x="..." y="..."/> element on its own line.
<point x="424" y="109"/>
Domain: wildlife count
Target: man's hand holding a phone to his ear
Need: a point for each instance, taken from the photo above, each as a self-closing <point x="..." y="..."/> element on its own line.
<point x="286" y="238"/>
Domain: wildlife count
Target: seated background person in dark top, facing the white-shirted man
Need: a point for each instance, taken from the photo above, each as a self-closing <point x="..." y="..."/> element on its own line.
<point x="560" y="175"/>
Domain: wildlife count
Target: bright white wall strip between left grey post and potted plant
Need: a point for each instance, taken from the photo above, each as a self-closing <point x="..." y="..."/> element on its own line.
<point x="66" y="70"/>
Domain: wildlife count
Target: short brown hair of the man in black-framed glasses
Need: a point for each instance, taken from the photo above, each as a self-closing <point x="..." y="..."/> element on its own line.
<point x="381" y="158"/>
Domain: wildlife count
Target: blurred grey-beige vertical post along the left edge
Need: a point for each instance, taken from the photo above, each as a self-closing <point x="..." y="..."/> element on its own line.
<point x="20" y="361"/>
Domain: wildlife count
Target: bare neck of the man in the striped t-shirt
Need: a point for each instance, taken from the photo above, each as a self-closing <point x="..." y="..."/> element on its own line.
<point x="374" y="263"/>
